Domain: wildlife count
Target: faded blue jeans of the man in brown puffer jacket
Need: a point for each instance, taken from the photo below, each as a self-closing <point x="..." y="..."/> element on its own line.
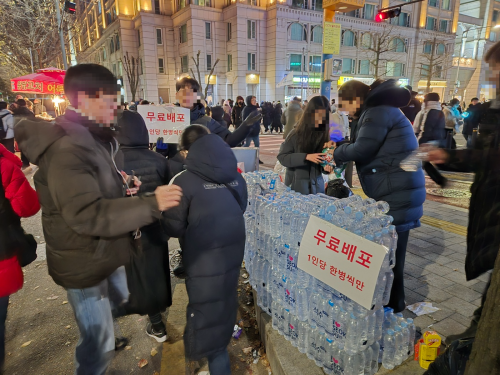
<point x="92" y="308"/>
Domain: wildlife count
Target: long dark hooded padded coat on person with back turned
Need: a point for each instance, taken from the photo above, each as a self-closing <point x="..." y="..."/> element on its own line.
<point x="209" y="220"/>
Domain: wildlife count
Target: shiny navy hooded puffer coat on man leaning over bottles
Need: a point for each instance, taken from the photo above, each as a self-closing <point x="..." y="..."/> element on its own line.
<point x="383" y="138"/>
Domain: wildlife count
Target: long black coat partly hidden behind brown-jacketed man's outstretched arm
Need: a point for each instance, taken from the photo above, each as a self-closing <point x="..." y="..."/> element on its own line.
<point x="148" y="274"/>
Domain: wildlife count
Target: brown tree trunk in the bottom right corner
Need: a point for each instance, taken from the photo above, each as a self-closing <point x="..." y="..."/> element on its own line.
<point x="485" y="356"/>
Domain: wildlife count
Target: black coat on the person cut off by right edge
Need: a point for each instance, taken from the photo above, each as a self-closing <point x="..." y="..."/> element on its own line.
<point x="483" y="232"/>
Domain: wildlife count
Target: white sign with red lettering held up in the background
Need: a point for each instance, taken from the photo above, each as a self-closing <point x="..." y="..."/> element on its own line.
<point x="165" y="121"/>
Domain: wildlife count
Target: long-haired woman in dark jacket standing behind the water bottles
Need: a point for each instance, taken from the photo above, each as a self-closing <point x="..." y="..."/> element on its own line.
<point x="301" y="152"/>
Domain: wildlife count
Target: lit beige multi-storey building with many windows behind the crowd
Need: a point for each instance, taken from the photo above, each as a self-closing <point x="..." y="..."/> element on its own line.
<point x="268" y="48"/>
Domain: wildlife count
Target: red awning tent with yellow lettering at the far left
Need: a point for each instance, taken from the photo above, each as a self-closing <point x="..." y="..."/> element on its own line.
<point x="44" y="81"/>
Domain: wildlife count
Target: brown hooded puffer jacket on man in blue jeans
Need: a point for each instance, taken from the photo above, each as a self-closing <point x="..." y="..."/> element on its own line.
<point x="87" y="221"/>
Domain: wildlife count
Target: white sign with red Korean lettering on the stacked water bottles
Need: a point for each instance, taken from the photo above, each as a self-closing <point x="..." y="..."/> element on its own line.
<point x="341" y="259"/>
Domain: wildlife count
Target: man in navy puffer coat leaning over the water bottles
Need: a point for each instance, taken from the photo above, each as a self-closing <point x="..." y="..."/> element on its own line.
<point x="381" y="139"/>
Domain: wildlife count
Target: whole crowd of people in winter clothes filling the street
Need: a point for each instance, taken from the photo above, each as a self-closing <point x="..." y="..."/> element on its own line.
<point x="107" y="230"/>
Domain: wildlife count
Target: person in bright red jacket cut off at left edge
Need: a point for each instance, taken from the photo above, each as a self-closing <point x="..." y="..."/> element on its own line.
<point x="17" y="199"/>
